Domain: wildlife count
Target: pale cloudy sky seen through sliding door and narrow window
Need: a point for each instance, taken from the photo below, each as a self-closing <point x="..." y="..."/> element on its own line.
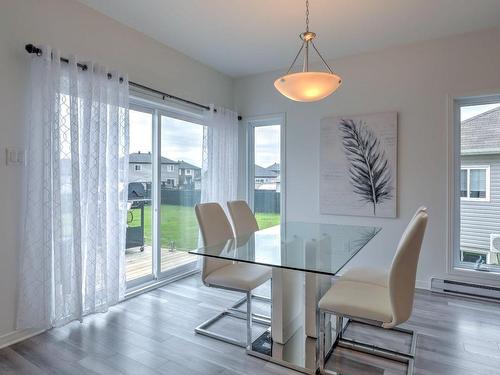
<point x="182" y="140"/>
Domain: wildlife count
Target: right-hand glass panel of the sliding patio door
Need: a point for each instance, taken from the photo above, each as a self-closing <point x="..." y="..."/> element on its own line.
<point x="181" y="156"/>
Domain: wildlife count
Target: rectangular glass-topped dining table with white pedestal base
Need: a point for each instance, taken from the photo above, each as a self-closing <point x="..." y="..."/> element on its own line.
<point x="303" y="257"/>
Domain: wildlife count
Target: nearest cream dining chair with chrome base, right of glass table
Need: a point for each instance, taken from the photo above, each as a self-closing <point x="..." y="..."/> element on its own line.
<point x="371" y="296"/>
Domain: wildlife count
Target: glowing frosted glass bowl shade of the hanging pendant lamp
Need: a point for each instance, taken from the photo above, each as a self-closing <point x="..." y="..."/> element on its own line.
<point x="308" y="86"/>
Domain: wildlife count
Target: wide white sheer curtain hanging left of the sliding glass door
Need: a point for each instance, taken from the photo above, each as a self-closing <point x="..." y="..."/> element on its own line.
<point x="72" y="257"/>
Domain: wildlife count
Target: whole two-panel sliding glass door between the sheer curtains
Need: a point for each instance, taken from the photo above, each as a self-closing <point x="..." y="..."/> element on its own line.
<point x="164" y="185"/>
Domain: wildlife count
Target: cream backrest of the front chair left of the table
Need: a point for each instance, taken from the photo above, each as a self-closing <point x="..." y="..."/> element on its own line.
<point x="215" y="229"/>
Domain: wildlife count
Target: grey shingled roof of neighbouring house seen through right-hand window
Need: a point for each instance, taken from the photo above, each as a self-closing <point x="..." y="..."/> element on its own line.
<point x="481" y="134"/>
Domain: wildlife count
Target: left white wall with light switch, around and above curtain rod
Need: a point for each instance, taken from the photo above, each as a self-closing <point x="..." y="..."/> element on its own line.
<point x="74" y="28"/>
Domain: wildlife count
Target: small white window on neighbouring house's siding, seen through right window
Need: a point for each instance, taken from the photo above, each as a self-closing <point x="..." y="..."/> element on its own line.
<point x="475" y="183"/>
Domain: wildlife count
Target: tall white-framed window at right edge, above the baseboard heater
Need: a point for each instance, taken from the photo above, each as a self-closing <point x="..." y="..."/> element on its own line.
<point x="476" y="150"/>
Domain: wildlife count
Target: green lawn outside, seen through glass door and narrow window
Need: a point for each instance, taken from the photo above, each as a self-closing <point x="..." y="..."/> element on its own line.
<point x="178" y="224"/>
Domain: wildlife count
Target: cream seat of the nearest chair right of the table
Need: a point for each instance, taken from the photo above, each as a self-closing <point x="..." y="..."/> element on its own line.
<point x="358" y="299"/>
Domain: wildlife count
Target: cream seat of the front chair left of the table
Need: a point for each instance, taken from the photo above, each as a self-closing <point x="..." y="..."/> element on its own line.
<point x="241" y="276"/>
